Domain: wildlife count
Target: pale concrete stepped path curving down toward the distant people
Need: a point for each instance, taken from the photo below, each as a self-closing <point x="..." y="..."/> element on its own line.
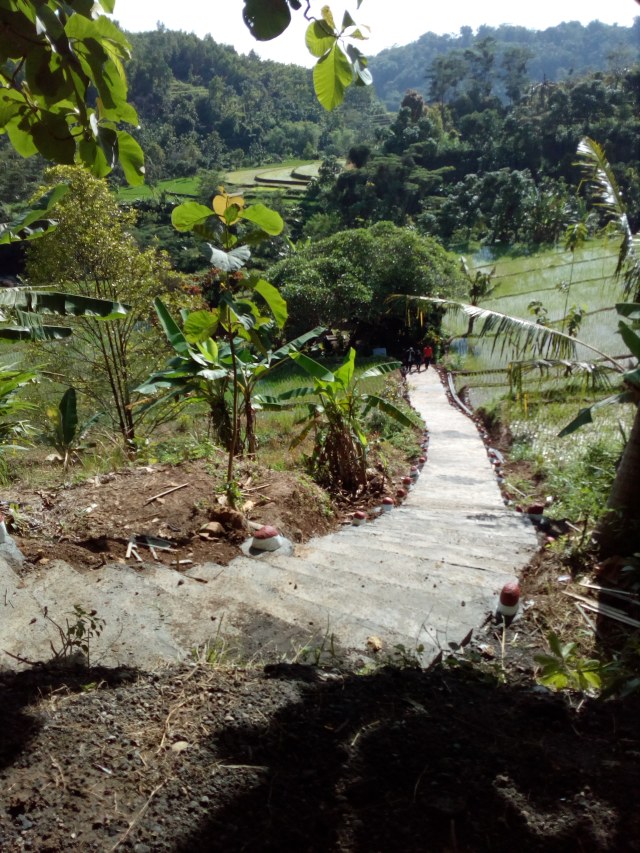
<point x="422" y="575"/>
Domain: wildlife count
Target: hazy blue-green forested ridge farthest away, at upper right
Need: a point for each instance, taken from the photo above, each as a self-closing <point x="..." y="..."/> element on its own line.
<point x="436" y="65"/>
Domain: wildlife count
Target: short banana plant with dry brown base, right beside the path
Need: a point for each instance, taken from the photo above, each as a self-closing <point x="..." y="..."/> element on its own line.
<point x="336" y="417"/>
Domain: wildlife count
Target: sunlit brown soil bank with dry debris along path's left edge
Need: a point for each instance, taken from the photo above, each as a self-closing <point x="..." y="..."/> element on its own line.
<point x="92" y="523"/>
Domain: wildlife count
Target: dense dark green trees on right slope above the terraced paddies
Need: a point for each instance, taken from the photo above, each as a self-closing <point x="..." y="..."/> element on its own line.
<point x="482" y="170"/>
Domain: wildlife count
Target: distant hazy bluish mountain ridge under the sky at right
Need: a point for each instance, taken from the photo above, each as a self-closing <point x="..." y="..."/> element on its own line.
<point x="568" y="49"/>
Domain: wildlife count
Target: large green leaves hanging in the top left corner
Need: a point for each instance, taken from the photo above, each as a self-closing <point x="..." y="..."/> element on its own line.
<point x="63" y="90"/>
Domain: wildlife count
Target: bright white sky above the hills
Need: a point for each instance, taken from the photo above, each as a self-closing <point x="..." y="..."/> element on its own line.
<point x="391" y="21"/>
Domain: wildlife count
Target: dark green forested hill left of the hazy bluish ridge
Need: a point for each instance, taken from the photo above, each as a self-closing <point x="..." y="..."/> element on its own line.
<point x="204" y="106"/>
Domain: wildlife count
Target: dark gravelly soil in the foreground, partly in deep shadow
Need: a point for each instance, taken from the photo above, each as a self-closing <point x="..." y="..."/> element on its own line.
<point x="294" y="758"/>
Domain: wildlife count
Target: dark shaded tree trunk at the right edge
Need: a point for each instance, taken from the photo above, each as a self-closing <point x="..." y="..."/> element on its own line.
<point x="619" y="529"/>
